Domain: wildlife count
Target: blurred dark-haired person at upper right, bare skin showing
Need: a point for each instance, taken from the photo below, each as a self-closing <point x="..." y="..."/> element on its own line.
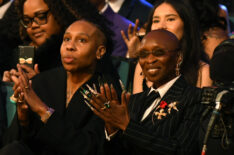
<point x="213" y="23"/>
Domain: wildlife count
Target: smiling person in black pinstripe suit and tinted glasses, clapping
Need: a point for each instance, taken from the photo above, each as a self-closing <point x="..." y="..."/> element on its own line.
<point x="169" y="125"/>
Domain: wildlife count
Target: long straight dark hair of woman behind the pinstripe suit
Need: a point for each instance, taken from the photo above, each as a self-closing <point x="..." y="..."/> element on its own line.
<point x="190" y="42"/>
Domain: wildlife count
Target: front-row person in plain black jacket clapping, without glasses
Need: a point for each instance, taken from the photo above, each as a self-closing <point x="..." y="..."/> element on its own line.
<point x="53" y="114"/>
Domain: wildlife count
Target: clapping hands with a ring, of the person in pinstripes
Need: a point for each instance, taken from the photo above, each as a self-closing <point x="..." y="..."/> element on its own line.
<point x="108" y="108"/>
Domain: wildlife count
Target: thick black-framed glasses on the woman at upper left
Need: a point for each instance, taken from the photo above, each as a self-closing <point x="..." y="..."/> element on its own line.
<point x="40" y="18"/>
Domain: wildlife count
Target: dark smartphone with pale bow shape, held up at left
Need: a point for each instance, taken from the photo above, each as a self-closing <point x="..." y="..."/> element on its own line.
<point x="26" y="55"/>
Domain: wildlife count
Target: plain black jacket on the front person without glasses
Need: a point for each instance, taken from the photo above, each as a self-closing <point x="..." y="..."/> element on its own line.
<point x="72" y="130"/>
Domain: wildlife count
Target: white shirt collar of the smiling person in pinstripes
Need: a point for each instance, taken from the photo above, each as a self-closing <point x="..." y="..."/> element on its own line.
<point x="164" y="88"/>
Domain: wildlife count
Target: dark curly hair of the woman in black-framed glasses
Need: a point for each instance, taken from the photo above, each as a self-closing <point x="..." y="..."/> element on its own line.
<point x="60" y="9"/>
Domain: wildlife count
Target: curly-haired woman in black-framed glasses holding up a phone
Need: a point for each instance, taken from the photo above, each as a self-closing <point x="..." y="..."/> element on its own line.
<point x="42" y="24"/>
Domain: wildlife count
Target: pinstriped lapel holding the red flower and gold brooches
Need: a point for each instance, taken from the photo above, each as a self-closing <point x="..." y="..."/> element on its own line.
<point x="174" y="94"/>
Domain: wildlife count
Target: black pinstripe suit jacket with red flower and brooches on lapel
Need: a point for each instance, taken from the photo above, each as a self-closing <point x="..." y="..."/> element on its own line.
<point x="176" y="133"/>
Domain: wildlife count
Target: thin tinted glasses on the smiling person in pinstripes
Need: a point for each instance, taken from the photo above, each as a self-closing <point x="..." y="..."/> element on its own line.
<point x="157" y="53"/>
